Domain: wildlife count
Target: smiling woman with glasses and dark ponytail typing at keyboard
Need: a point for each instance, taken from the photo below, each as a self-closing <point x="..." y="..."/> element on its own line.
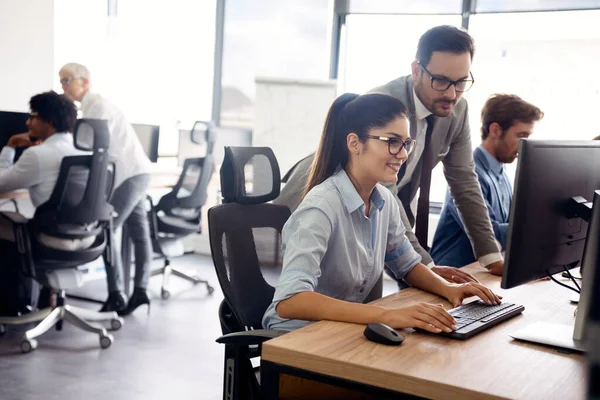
<point x="348" y="226"/>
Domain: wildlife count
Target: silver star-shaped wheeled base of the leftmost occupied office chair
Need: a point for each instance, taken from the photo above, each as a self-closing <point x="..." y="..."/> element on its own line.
<point x="79" y="317"/>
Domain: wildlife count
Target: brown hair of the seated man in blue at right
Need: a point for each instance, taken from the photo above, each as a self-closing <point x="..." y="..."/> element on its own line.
<point x="506" y="110"/>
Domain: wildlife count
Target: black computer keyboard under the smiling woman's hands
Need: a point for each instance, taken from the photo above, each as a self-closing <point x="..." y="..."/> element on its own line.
<point x="477" y="316"/>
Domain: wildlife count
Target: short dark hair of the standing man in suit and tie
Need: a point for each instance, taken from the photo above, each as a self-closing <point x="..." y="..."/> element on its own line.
<point x="444" y="38"/>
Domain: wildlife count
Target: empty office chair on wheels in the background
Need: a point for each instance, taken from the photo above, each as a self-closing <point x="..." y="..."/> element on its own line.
<point x="179" y="212"/>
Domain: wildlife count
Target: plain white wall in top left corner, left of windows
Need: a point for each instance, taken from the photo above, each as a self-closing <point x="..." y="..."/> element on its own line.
<point x="26" y="51"/>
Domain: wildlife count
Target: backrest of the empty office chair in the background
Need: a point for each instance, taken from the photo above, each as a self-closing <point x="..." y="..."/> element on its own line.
<point x="189" y="195"/>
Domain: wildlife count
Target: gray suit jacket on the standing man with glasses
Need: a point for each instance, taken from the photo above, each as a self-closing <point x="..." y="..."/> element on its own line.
<point x="451" y="141"/>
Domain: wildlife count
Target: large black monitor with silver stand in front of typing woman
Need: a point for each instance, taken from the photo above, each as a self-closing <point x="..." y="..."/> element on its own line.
<point x="554" y="225"/>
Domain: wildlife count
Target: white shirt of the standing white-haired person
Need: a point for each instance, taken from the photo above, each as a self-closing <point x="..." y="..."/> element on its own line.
<point x="125" y="146"/>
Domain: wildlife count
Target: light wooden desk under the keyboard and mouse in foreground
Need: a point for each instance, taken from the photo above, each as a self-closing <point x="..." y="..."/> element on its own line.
<point x="490" y="365"/>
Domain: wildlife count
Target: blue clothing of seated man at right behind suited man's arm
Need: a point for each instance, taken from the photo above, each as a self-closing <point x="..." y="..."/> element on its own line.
<point x="451" y="245"/>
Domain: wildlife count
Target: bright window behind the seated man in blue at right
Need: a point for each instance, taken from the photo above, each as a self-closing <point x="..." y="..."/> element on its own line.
<point x="550" y="59"/>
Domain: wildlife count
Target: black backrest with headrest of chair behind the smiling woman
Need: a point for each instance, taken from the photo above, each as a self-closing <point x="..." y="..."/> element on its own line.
<point x="245" y="232"/>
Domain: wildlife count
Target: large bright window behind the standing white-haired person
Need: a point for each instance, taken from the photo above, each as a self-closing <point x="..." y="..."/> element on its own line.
<point x="153" y="59"/>
